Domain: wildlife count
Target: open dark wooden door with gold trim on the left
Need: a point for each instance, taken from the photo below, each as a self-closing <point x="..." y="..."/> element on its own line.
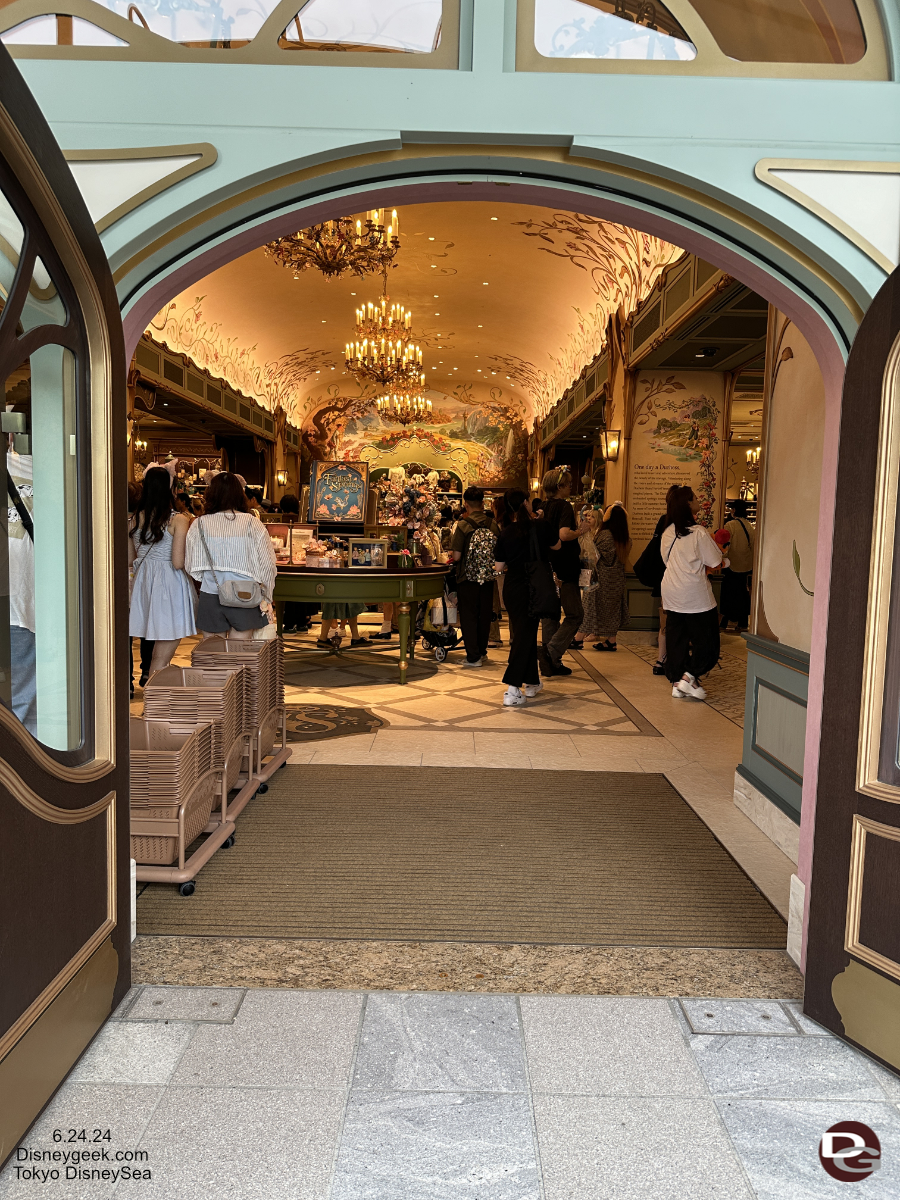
<point x="64" y="811"/>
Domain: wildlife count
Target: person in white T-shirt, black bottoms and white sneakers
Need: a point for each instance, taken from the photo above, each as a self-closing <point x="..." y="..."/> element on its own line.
<point x="692" y="616"/>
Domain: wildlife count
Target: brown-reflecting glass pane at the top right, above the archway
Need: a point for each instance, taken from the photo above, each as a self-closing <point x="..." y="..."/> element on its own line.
<point x="785" y="31"/>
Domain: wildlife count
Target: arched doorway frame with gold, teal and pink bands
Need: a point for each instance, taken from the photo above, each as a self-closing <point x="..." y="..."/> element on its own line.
<point x="821" y="309"/>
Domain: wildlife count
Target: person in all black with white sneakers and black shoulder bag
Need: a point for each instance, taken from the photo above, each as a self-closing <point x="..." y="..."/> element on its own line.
<point x="515" y="549"/>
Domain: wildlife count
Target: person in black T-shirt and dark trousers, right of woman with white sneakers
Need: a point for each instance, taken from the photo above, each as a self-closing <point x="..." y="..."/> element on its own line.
<point x="560" y="515"/>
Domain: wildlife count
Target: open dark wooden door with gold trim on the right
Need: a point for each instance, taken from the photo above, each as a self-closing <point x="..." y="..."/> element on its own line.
<point x="854" y="940"/>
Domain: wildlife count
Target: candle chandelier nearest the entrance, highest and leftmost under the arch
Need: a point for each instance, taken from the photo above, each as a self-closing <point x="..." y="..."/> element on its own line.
<point x="343" y="247"/>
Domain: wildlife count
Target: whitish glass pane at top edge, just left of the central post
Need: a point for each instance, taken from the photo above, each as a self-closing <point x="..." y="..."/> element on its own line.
<point x="411" y="27"/>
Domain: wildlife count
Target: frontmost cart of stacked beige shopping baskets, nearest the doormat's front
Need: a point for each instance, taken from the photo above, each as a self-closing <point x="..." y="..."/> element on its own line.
<point x="175" y="788"/>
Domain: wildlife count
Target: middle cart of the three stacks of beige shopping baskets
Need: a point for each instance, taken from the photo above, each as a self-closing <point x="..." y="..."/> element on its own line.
<point x="217" y="695"/>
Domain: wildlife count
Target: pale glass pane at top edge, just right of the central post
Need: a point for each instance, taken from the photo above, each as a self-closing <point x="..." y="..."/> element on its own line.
<point x="609" y="29"/>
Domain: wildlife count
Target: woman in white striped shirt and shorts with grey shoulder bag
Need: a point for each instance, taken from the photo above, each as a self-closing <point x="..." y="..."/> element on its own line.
<point x="230" y="551"/>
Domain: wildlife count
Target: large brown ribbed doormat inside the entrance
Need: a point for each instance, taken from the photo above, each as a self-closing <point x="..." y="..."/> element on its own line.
<point x="471" y="855"/>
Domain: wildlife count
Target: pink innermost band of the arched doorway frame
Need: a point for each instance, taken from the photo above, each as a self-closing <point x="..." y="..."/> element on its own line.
<point x="809" y="322"/>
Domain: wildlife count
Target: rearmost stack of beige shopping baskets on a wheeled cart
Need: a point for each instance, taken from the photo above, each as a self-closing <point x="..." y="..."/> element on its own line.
<point x="263" y="703"/>
